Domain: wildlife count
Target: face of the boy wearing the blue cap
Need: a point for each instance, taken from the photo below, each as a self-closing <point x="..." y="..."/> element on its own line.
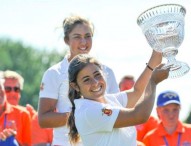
<point x="169" y="114"/>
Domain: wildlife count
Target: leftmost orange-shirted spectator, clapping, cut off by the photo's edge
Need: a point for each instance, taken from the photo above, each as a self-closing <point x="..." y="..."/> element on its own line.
<point x="15" y="123"/>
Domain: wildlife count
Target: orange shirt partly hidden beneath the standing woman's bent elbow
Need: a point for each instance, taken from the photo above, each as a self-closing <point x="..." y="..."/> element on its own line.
<point x="40" y="135"/>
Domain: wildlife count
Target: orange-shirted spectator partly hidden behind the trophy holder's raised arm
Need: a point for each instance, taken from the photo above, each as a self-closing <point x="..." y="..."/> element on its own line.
<point x="127" y="83"/>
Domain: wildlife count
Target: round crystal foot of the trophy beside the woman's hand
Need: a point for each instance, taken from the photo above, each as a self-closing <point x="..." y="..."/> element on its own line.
<point x="177" y="69"/>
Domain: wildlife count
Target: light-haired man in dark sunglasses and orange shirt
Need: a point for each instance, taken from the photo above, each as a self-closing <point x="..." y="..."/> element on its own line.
<point x="15" y="81"/>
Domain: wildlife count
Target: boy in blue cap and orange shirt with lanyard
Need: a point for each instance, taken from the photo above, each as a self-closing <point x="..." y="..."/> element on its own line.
<point x="170" y="131"/>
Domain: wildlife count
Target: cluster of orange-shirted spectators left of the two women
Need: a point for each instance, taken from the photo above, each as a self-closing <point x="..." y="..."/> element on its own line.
<point x="18" y="124"/>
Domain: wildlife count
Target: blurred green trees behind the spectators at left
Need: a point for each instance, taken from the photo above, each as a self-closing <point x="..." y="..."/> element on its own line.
<point x="31" y="63"/>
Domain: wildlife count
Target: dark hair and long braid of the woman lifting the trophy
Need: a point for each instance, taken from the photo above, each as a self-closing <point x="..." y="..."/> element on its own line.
<point x="76" y="65"/>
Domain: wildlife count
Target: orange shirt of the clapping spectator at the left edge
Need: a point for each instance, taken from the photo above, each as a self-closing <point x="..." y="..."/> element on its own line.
<point x="22" y="124"/>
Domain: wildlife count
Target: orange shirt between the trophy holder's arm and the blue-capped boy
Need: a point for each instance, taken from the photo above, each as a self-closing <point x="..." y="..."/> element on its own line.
<point x="142" y="129"/>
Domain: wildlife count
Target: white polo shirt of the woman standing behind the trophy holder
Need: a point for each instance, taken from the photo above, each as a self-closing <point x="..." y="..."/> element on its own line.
<point x="56" y="85"/>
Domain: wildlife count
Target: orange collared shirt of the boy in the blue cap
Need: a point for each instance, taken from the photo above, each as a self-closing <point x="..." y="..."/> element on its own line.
<point x="156" y="136"/>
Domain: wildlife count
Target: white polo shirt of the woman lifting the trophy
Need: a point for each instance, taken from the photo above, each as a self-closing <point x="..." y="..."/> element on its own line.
<point x="95" y="125"/>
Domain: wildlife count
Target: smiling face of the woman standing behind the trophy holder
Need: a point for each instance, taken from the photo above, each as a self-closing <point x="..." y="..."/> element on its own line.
<point x="80" y="40"/>
